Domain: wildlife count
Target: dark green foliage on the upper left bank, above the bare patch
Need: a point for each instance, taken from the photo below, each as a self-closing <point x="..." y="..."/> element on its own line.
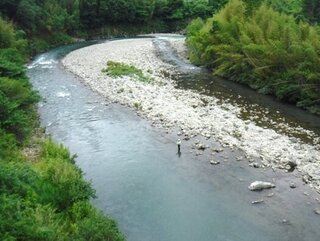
<point x="17" y="116"/>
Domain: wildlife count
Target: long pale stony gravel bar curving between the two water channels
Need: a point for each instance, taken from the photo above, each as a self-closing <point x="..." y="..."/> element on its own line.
<point x="195" y="118"/>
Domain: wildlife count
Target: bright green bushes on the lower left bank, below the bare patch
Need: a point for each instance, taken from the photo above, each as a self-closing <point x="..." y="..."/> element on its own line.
<point x="48" y="199"/>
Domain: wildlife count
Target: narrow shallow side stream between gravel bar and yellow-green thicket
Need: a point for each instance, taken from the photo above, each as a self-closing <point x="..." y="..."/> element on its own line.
<point x="265" y="111"/>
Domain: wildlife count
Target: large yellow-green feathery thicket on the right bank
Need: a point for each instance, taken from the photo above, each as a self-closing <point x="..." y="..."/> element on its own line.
<point x="267" y="50"/>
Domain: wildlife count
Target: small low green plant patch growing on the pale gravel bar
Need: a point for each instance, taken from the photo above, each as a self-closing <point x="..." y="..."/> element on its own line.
<point x="116" y="69"/>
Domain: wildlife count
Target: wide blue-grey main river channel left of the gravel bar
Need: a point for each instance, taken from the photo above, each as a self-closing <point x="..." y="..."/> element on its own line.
<point x="153" y="193"/>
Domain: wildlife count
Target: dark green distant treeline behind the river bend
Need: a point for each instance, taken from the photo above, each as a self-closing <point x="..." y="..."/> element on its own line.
<point x="51" y="22"/>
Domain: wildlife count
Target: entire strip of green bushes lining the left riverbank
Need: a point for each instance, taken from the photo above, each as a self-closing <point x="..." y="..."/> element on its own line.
<point x="43" y="195"/>
